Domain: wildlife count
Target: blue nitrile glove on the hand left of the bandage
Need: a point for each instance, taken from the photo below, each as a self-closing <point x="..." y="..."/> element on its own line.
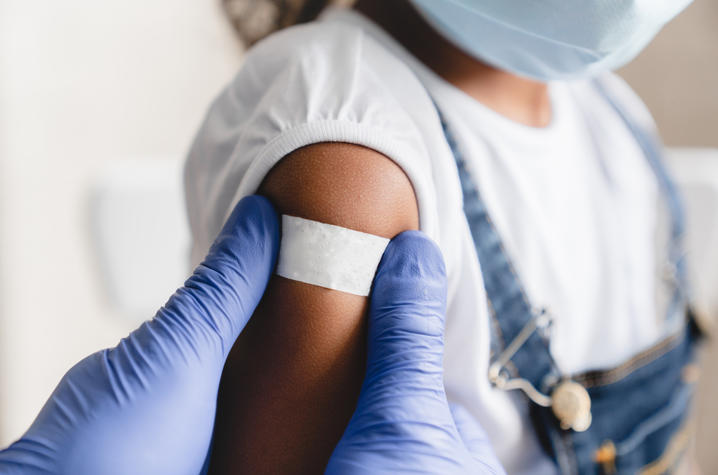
<point x="147" y="406"/>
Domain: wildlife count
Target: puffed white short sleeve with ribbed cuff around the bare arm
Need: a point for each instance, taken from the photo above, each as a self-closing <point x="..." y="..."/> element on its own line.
<point x="322" y="82"/>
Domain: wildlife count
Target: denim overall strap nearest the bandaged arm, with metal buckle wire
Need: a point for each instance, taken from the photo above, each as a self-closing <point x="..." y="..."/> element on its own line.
<point x="520" y="348"/>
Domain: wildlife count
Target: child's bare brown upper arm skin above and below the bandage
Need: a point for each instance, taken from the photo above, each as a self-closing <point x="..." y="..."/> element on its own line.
<point x="292" y="379"/>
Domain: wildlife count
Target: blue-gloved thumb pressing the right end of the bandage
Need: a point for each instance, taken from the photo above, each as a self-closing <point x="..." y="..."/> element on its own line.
<point x="404" y="376"/>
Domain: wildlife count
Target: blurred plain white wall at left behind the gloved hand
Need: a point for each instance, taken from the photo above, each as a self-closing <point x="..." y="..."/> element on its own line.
<point x="83" y="83"/>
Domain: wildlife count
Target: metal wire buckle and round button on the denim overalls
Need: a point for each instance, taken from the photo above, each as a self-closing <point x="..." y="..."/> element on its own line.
<point x="569" y="401"/>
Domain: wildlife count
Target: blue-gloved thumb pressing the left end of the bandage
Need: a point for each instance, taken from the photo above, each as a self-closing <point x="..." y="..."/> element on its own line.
<point x="216" y="302"/>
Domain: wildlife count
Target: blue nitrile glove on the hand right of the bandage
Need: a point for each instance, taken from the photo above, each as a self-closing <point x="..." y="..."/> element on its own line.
<point x="403" y="422"/>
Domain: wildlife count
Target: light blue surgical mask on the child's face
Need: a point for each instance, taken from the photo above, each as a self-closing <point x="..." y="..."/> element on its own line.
<point x="551" y="39"/>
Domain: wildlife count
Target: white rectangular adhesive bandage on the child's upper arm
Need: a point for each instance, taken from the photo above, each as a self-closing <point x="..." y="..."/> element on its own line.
<point x="329" y="256"/>
